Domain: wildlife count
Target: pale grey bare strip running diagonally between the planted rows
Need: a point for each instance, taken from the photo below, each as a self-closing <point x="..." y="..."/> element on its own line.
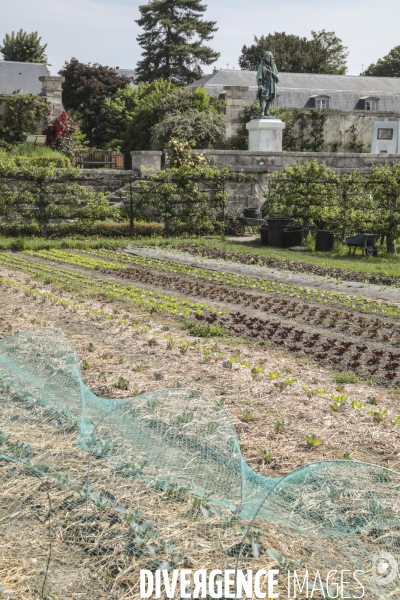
<point x="301" y="279"/>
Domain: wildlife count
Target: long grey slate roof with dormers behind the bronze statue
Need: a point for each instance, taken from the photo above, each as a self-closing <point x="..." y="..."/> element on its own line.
<point x="295" y="89"/>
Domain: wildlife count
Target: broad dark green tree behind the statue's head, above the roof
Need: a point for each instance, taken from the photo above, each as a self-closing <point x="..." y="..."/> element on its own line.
<point x="323" y="53"/>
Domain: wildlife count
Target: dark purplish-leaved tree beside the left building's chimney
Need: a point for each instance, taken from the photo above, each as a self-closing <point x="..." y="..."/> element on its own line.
<point x="85" y="88"/>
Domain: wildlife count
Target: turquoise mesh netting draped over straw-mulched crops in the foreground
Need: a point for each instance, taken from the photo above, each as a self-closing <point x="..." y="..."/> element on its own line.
<point x="95" y="489"/>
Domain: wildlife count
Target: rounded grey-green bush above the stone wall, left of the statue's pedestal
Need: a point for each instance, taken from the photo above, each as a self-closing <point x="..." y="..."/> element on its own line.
<point x="205" y="129"/>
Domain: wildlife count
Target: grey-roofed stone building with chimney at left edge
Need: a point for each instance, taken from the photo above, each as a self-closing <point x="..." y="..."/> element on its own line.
<point x="31" y="78"/>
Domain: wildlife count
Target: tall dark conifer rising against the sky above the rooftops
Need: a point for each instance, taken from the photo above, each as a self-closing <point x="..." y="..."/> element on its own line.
<point x="173" y="41"/>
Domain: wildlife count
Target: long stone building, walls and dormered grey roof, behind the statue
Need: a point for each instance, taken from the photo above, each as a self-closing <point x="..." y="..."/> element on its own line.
<point x="349" y="100"/>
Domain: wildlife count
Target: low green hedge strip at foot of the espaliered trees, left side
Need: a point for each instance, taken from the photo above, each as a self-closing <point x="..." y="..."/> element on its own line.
<point x="101" y="228"/>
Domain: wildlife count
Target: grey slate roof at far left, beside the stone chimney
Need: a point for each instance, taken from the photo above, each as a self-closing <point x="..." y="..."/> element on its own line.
<point x="21" y="76"/>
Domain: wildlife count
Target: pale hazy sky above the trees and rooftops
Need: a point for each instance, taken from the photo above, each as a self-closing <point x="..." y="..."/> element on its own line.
<point x="104" y="31"/>
